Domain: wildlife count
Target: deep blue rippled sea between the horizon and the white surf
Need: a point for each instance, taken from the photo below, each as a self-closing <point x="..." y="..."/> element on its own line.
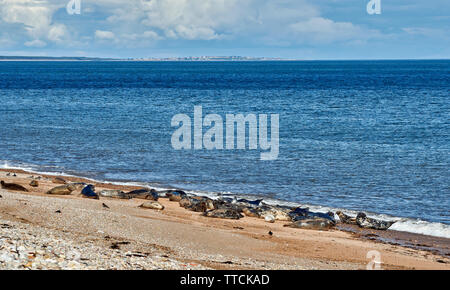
<point x="359" y="135"/>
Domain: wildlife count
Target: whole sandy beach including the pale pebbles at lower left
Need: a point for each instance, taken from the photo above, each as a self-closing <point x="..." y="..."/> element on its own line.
<point x="39" y="231"/>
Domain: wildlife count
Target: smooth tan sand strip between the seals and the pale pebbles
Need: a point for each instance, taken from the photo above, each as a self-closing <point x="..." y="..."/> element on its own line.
<point x="200" y="240"/>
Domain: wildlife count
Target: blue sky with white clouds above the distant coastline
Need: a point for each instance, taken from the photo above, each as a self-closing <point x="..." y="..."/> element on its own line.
<point x="292" y="29"/>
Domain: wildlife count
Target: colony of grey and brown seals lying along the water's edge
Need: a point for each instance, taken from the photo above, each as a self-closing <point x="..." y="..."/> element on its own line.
<point x="223" y="207"/>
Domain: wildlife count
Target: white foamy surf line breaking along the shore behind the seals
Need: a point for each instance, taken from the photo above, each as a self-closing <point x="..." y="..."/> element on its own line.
<point x="410" y="225"/>
